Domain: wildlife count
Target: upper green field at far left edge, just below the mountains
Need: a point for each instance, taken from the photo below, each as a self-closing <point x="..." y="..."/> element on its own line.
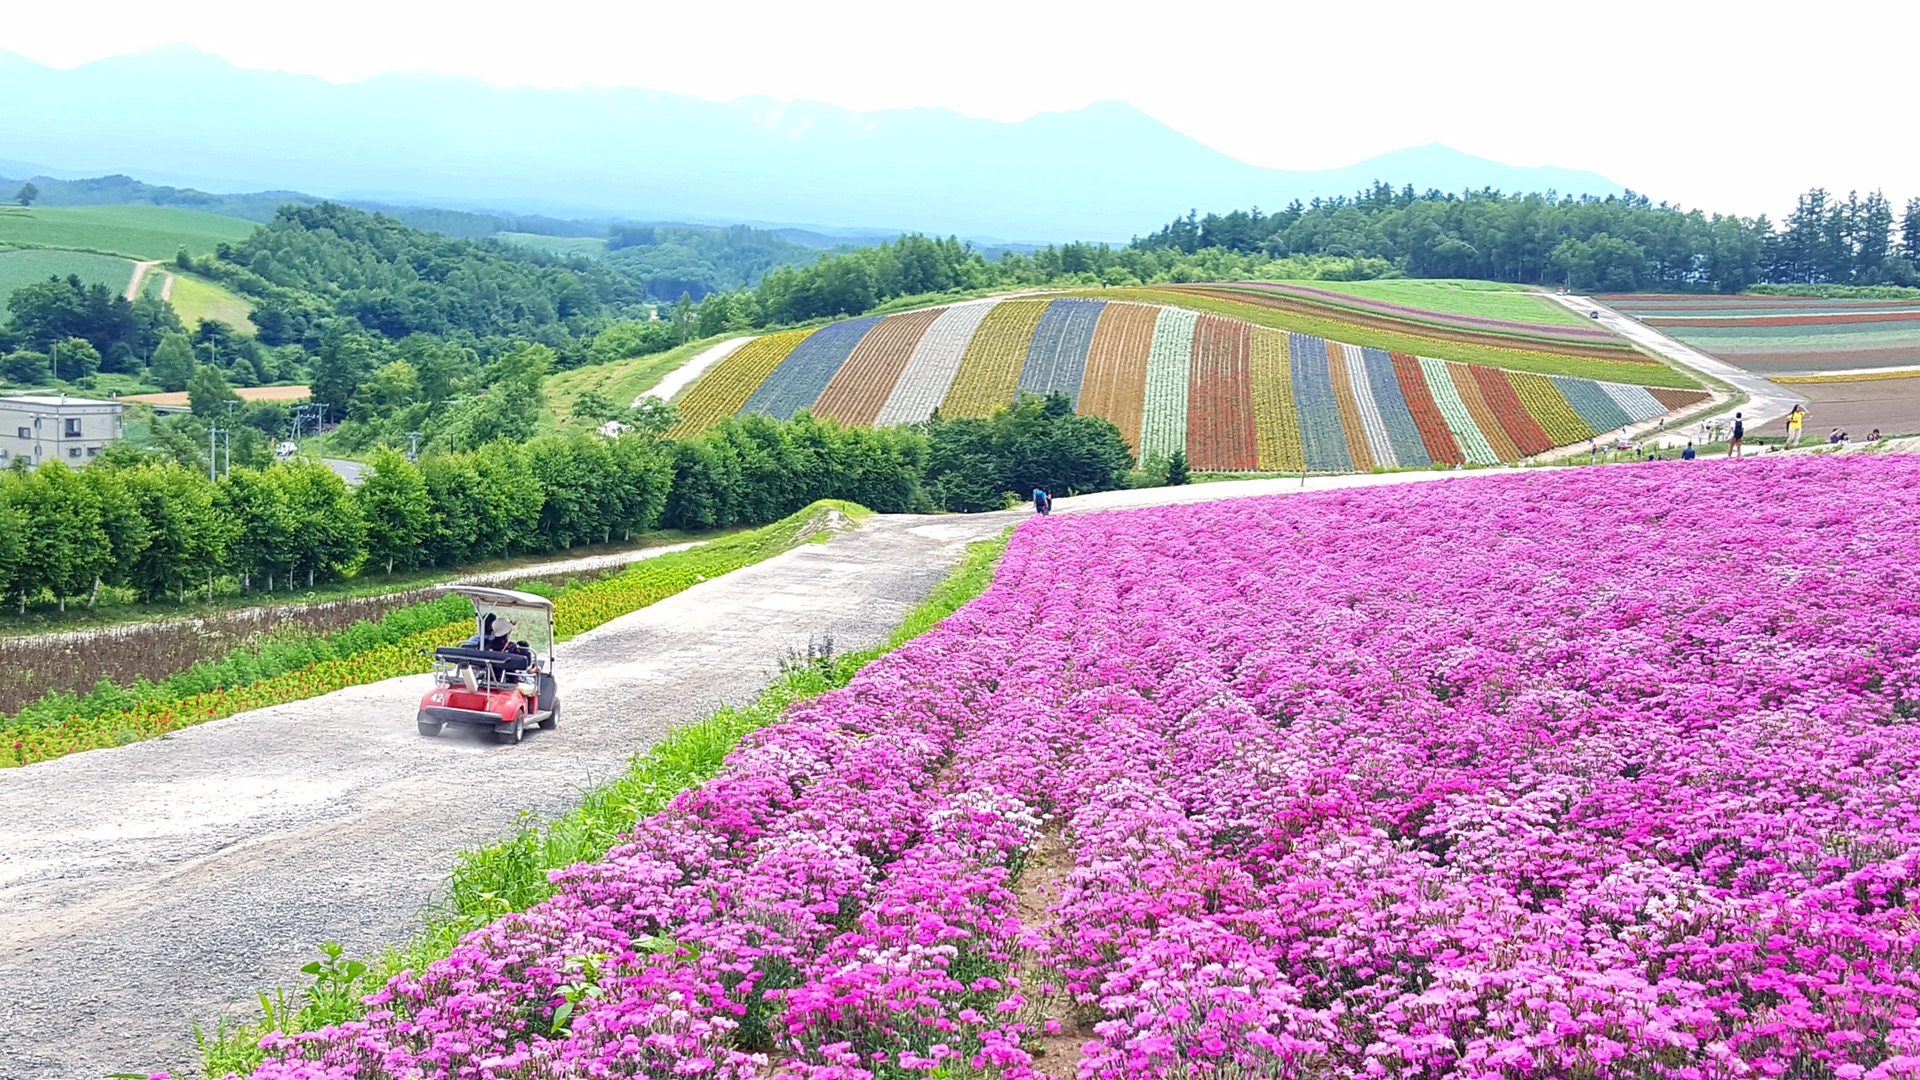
<point x="133" y="232"/>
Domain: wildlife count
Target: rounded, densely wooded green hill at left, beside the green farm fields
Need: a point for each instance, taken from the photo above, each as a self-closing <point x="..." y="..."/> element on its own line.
<point x="314" y="262"/>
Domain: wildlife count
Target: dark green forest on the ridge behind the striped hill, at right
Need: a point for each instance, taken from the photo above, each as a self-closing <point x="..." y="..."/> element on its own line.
<point x="1620" y="243"/>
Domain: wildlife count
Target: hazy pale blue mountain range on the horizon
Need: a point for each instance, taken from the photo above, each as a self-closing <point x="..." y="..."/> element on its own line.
<point x="180" y="116"/>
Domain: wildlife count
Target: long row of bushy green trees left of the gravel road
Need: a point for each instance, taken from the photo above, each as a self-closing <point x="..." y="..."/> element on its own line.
<point x="160" y="529"/>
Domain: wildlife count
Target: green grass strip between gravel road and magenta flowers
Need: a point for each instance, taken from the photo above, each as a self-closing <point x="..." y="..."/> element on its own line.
<point x="512" y="873"/>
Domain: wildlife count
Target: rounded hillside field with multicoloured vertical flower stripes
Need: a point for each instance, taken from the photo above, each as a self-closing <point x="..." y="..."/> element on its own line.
<point x="1234" y="395"/>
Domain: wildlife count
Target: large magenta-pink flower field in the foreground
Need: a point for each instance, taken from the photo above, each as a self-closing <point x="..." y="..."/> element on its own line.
<point x="1581" y="773"/>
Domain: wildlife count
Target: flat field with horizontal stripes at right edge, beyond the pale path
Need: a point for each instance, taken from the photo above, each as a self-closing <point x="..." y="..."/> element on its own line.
<point x="1785" y="335"/>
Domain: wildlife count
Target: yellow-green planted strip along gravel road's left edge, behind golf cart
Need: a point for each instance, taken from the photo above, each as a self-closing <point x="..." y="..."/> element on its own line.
<point x="293" y="670"/>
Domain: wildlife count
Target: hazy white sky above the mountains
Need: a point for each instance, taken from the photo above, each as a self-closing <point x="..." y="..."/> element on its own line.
<point x="1716" y="105"/>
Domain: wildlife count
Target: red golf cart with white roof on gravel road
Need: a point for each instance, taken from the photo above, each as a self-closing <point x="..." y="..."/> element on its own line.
<point x="502" y="677"/>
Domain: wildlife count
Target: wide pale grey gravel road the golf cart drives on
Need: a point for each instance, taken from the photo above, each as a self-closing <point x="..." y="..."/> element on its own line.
<point x="166" y="881"/>
